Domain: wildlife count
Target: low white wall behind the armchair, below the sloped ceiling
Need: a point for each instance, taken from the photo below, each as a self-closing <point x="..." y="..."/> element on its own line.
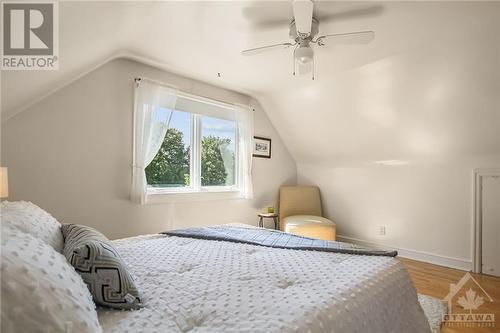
<point x="425" y="206"/>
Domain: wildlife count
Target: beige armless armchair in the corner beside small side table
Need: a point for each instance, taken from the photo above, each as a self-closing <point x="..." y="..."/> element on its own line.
<point x="301" y="214"/>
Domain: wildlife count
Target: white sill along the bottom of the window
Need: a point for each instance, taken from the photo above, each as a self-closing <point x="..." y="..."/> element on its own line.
<point x="158" y="195"/>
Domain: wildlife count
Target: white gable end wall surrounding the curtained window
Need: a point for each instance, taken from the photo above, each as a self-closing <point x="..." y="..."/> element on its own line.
<point x="71" y="154"/>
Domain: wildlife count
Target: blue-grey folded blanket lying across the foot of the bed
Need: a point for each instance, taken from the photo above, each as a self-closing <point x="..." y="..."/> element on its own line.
<point x="274" y="238"/>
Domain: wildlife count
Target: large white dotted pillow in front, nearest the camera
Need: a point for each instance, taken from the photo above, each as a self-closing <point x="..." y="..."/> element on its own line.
<point x="41" y="292"/>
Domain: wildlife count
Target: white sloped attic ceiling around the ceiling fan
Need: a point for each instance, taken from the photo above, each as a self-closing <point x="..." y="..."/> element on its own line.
<point x="427" y="86"/>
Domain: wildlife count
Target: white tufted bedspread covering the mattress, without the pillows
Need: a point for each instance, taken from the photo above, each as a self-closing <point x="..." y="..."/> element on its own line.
<point x="211" y="286"/>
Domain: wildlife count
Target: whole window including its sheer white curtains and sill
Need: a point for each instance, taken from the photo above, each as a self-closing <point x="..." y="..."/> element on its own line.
<point x="188" y="144"/>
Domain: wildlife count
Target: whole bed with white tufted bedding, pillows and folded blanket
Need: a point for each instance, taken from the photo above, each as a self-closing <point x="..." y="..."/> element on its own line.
<point x="182" y="284"/>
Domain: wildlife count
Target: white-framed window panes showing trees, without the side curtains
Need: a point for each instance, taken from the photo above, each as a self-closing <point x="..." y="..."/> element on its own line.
<point x="199" y="152"/>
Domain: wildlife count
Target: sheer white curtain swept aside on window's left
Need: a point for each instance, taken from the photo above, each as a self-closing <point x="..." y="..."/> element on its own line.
<point x="153" y="109"/>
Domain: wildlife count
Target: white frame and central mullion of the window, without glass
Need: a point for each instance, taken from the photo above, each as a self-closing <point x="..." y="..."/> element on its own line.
<point x="195" y="190"/>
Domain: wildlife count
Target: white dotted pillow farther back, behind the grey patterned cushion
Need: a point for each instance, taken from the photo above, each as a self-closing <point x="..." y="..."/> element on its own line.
<point x="33" y="220"/>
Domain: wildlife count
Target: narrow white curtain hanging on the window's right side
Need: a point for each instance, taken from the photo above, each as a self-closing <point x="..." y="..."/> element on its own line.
<point x="244" y="118"/>
